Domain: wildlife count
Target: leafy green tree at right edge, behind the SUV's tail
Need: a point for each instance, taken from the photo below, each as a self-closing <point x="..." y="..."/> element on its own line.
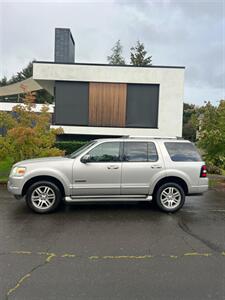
<point x="212" y="133"/>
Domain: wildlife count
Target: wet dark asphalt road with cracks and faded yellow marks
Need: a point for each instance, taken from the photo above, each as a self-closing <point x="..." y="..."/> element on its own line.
<point x="113" y="251"/>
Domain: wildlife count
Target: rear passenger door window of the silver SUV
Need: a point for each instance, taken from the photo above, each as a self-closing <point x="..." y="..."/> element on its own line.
<point x="140" y="152"/>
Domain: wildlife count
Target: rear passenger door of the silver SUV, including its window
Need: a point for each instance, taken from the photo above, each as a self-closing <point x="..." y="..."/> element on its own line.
<point x="141" y="162"/>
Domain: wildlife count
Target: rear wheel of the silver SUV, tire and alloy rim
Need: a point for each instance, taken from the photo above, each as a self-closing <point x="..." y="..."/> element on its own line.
<point x="163" y="202"/>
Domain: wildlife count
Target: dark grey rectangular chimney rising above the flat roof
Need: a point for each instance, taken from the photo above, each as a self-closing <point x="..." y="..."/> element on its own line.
<point x="64" y="46"/>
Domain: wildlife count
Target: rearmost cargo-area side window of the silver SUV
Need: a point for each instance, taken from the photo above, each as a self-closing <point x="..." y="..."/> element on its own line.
<point x="182" y="152"/>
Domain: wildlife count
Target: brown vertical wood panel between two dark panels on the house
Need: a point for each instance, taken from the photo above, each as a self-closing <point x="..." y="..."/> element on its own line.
<point x="107" y="104"/>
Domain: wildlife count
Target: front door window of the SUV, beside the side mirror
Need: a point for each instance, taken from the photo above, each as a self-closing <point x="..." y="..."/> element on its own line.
<point x="106" y="152"/>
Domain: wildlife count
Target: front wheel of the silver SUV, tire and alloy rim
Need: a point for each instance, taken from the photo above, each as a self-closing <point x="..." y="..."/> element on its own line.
<point x="54" y="197"/>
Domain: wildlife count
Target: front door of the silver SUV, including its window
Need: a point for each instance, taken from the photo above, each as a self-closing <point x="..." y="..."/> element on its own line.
<point x="101" y="174"/>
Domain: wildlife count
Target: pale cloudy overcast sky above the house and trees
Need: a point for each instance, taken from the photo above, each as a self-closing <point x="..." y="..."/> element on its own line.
<point x="186" y="33"/>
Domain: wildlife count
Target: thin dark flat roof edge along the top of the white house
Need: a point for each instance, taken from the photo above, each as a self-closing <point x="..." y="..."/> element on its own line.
<point x="108" y="65"/>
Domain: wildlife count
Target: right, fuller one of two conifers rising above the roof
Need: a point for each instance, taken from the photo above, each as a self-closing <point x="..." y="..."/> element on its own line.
<point x="138" y="55"/>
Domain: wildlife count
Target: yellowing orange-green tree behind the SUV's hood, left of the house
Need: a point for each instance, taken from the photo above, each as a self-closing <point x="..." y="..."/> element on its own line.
<point x="28" y="134"/>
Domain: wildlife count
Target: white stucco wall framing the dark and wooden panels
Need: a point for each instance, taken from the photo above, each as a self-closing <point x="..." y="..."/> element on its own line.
<point x="171" y="82"/>
